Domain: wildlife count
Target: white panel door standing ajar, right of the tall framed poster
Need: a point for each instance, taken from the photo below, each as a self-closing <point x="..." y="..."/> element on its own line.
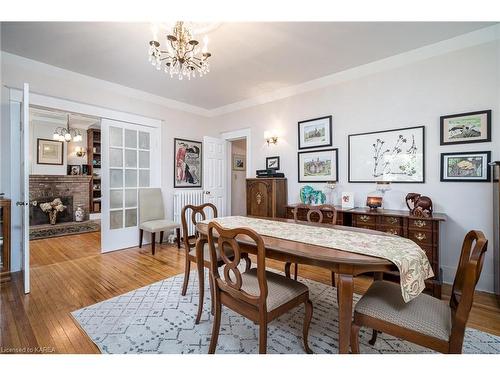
<point x="214" y="172"/>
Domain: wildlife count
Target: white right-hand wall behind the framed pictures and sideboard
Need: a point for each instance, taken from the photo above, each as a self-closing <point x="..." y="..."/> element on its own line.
<point x="416" y="94"/>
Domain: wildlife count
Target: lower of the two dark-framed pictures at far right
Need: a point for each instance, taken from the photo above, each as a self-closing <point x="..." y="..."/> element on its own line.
<point x="466" y="166"/>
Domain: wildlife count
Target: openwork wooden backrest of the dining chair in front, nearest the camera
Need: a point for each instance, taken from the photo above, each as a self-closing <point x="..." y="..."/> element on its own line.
<point x="231" y="281"/>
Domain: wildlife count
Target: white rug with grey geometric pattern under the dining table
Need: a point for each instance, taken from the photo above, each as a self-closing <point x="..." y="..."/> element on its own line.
<point x="157" y="319"/>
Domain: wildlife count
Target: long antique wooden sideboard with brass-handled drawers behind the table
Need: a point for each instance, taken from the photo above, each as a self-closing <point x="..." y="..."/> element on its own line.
<point x="424" y="231"/>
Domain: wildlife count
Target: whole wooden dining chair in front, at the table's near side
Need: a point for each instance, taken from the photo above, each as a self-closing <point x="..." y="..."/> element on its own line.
<point x="257" y="294"/>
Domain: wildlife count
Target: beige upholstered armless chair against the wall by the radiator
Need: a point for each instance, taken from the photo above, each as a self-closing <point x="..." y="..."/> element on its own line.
<point x="152" y="217"/>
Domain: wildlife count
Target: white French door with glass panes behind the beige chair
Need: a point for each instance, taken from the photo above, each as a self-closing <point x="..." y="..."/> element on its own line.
<point x="130" y="160"/>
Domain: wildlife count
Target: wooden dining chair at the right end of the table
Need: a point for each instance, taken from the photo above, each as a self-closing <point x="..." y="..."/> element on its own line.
<point x="425" y="320"/>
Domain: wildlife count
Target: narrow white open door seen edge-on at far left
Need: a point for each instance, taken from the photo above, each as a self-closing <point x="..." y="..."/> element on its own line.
<point x="24" y="203"/>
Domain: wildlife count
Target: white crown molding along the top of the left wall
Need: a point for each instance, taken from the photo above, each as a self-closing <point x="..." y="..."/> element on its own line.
<point x="37" y="66"/>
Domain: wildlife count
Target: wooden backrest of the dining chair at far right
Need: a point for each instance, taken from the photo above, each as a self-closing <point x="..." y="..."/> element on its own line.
<point x="468" y="272"/>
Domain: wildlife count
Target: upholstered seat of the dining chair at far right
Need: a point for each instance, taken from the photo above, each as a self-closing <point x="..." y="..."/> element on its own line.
<point x="424" y="314"/>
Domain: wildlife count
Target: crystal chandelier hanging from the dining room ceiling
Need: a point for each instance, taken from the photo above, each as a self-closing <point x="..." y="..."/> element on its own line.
<point x="183" y="56"/>
